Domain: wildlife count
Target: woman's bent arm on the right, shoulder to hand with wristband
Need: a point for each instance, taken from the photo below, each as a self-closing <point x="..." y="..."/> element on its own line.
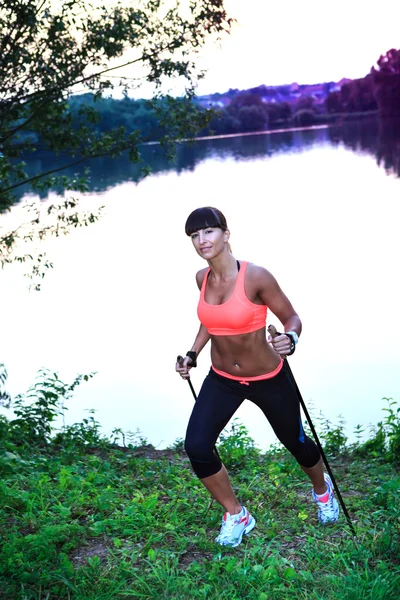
<point x="272" y="296"/>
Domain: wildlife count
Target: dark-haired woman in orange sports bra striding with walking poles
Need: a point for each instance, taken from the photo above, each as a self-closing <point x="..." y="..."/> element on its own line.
<point x="234" y="296"/>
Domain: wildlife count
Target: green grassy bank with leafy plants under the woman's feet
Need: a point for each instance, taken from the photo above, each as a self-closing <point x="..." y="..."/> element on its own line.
<point x="89" y="517"/>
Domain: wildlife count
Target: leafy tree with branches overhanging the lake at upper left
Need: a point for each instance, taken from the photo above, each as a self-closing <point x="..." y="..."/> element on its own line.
<point x="51" y="50"/>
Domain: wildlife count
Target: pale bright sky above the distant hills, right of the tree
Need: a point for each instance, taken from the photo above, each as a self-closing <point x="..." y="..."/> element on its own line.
<point x="305" y="42"/>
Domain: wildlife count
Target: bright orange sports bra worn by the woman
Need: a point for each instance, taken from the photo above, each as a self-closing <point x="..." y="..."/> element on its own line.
<point x="236" y="315"/>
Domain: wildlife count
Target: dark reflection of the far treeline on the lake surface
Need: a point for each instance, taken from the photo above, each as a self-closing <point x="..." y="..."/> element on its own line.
<point x="379" y="138"/>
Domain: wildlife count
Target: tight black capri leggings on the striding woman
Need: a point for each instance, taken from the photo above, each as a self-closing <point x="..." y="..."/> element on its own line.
<point x="219" y="399"/>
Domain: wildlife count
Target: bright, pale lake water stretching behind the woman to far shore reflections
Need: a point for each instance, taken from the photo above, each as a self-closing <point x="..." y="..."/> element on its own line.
<point x="320" y="209"/>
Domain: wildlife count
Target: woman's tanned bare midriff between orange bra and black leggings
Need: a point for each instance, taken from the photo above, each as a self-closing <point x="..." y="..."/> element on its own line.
<point x="244" y="355"/>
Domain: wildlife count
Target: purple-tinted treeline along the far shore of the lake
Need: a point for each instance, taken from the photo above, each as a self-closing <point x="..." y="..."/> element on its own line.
<point x="262" y="108"/>
